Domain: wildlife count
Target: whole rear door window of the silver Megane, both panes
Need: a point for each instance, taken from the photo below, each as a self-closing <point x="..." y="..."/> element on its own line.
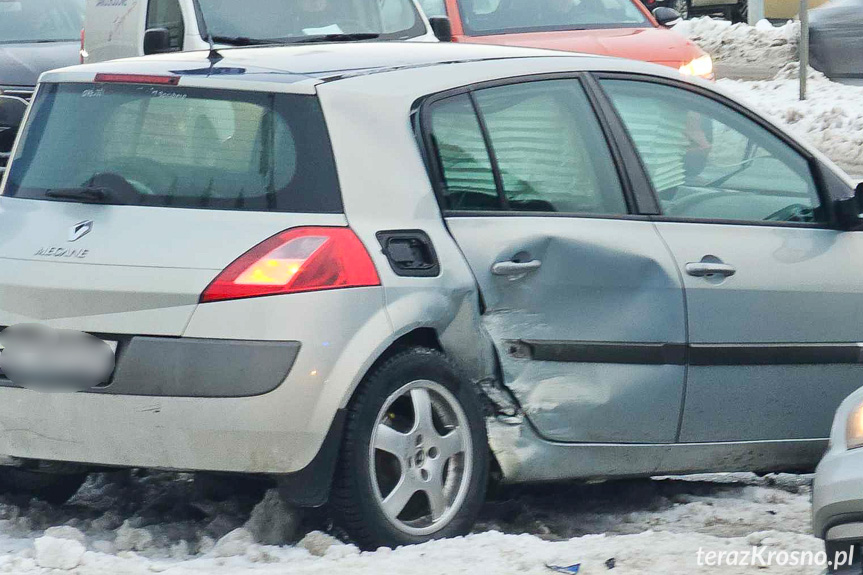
<point x="546" y="152"/>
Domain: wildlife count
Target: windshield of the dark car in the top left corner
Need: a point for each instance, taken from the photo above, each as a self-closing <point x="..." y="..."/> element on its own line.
<point x="40" y="20"/>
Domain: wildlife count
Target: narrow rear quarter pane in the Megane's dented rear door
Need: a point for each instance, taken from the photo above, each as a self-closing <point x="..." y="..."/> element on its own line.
<point x="464" y="161"/>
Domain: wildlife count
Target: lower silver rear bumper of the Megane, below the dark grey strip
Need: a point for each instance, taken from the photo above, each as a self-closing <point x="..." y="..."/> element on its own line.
<point x="262" y="434"/>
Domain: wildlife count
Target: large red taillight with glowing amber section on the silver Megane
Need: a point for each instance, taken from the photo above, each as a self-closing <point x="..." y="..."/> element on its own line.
<point x="296" y="260"/>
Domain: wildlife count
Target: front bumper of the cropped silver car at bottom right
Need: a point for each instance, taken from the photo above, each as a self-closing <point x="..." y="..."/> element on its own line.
<point x="837" y="497"/>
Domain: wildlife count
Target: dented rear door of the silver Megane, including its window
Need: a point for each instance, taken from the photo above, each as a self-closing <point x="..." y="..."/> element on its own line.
<point x="582" y="299"/>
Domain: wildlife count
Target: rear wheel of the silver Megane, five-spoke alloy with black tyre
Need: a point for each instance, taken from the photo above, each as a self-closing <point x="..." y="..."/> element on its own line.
<point x="404" y="478"/>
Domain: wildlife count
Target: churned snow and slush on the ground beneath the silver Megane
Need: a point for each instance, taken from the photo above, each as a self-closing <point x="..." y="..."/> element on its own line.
<point x="137" y="524"/>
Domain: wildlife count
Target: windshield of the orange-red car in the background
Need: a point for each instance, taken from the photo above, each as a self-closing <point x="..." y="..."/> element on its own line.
<point x="483" y="17"/>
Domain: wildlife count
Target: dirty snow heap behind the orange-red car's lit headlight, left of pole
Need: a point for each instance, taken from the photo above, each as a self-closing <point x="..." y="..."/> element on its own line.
<point x="741" y="44"/>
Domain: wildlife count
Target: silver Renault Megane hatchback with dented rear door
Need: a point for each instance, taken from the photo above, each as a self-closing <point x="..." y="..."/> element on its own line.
<point x="376" y="272"/>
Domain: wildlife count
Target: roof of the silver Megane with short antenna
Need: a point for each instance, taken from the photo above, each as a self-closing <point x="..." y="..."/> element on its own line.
<point x="303" y="66"/>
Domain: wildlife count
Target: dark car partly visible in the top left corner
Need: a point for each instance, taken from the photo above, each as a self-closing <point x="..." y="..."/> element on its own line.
<point x="35" y="36"/>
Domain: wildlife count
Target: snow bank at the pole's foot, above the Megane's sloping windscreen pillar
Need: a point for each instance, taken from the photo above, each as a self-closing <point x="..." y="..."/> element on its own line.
<point x="831" y="118"/>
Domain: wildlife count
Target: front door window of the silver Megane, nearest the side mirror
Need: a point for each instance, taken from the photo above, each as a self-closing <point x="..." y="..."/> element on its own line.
<point x="707" y="161"/>
